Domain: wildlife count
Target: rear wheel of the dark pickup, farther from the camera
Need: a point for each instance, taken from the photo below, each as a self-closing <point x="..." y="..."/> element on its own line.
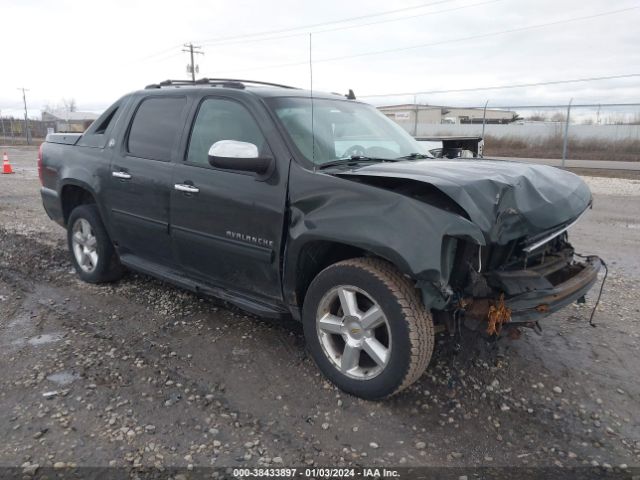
<point x="92" y="253"/>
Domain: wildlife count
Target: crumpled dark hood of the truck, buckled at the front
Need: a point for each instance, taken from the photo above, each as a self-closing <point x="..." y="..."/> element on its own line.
<point x="505" y="199"/>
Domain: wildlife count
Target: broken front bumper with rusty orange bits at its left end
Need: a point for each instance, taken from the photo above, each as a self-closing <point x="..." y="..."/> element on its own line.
<point x="526" y="296"/>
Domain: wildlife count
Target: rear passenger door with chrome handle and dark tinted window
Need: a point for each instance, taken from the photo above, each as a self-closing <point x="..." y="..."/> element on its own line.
<point x="140" y="182"/>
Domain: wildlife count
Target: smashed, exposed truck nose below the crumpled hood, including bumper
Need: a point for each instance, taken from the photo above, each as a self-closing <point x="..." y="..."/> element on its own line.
<point x="514" y="285"/>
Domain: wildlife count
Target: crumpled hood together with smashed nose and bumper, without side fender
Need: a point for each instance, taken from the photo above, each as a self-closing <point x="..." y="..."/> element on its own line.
<point x="524" y="268"/>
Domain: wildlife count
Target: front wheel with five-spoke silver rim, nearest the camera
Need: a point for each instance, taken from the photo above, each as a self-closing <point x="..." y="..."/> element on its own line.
<point x="396" y="349"/>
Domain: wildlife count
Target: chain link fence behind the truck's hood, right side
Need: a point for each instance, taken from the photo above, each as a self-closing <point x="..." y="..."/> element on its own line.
<point x="593" y="131"/>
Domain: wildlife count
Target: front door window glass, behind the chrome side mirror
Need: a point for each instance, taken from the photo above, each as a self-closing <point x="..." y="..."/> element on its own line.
<point x="220" y="119"/>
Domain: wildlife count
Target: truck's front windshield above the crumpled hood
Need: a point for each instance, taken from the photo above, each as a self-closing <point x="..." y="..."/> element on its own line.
<point x="343" y="129"/>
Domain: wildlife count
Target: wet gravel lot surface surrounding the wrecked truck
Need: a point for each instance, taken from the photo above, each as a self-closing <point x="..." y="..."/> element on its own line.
<point x="141" y="374"/>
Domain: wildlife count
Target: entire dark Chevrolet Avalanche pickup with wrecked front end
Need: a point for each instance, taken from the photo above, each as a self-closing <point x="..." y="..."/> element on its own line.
<point x="320" y="208"/>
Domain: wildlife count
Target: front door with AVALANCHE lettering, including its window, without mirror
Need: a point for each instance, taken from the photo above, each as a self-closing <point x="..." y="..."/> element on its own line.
<point x="227" y="226"/>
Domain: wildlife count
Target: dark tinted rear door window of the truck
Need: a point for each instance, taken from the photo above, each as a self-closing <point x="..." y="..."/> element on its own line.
<point x="156" y="127"/>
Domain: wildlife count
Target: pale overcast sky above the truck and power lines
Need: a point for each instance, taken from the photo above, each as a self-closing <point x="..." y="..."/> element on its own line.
<point x="95" y="52"/>
